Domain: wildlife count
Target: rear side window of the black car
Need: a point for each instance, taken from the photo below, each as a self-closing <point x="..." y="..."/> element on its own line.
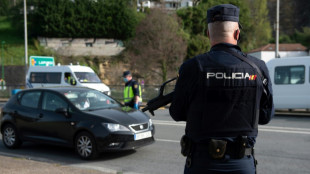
<point x="30" y="99"/>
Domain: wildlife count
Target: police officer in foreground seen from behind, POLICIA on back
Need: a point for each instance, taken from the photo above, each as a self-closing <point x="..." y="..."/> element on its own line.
<point x="222" y="95"/>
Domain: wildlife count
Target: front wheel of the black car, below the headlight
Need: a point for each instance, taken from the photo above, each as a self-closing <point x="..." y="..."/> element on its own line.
<point x="85" y="146"/>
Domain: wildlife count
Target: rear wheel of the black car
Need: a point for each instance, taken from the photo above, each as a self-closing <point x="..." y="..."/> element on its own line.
<point x="10" y="137"/>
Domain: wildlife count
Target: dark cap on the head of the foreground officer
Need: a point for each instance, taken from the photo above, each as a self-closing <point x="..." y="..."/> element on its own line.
<point x="223" y="12"/>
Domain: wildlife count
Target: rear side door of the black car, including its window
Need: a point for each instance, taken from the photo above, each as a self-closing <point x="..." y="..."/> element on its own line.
<point x="27" y="113"/>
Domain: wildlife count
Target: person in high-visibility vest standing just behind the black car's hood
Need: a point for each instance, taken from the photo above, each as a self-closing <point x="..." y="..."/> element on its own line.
<point x="132" y="91"/>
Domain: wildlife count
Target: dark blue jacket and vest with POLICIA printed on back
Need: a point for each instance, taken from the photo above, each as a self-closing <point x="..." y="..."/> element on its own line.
<point x="219" y="95"/>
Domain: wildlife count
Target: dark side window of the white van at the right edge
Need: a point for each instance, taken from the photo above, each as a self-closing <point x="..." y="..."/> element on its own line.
<point x="289" y="75"/>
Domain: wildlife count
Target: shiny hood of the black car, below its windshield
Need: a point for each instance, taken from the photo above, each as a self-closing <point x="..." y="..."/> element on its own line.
<point x="122" y="115"/>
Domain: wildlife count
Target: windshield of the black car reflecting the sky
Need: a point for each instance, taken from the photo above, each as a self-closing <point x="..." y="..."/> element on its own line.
<point x="90" y="99"/>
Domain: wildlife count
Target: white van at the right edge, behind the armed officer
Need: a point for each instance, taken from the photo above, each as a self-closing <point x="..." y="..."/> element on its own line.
<point x="291" y="82"/>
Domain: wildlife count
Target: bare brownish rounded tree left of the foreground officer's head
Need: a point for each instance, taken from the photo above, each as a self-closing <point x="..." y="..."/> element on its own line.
<point x="158" y="47"/>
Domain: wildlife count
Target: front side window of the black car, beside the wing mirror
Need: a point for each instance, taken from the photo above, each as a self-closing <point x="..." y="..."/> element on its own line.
<point x="51" y="102"/>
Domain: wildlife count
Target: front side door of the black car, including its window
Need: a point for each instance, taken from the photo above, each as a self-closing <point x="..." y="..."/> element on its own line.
<point x="55" y="126"/>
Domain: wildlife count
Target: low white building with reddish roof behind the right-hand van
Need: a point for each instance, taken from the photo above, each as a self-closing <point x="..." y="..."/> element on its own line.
<point x="267" y="52"/>
